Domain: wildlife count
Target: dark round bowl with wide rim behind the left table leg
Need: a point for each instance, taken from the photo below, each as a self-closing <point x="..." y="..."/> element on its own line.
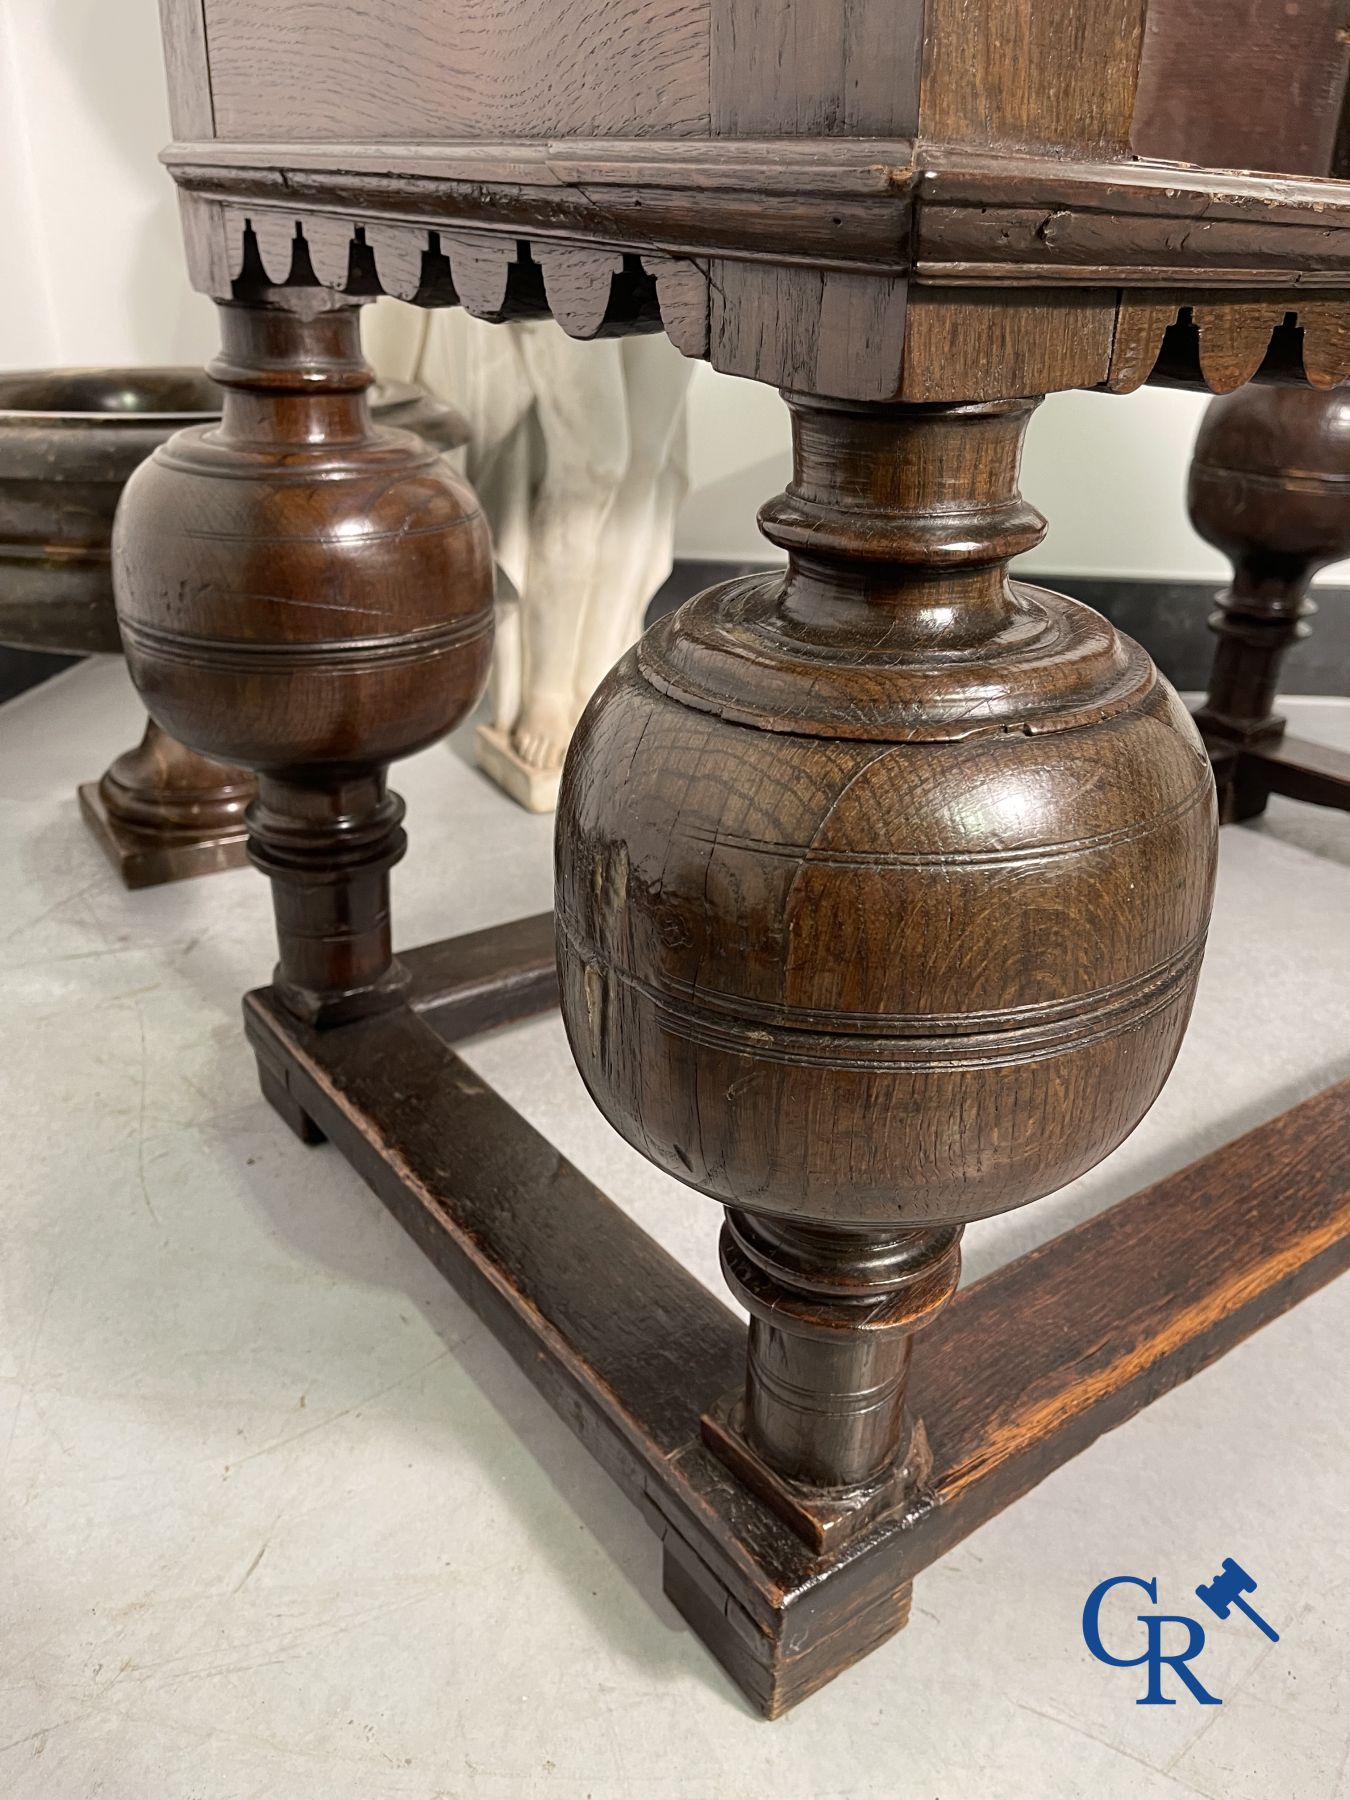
<point x="69" y="440"/>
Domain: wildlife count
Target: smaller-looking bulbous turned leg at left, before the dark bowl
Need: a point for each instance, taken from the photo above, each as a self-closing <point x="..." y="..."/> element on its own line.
<point x="309" y="597"/>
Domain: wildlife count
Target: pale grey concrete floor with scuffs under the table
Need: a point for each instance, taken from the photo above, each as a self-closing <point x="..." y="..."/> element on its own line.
<point x="278" y="1518"/>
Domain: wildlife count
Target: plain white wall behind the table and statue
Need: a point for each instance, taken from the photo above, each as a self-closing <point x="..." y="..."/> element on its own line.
<point x="93" y="264"/>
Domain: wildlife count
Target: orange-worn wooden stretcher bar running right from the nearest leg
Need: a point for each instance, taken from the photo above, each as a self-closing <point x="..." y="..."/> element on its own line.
<point x="1174" y="1277"/>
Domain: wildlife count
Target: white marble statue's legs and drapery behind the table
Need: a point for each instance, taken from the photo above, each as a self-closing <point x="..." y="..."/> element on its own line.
<point x="579" y="454"/>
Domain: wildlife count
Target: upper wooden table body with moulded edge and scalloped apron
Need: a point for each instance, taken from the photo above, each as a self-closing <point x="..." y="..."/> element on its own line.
<point x="802" y="170"/>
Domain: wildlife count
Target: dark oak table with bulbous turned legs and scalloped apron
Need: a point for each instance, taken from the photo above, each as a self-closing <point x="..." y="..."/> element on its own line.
<point x="883" y="881"/>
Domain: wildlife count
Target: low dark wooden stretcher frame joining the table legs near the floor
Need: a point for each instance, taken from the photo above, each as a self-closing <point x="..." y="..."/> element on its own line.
<point x="580" y="1295"/>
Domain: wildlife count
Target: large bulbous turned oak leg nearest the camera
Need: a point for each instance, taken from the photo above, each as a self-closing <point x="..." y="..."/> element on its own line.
<point x="894" y="921"/>
